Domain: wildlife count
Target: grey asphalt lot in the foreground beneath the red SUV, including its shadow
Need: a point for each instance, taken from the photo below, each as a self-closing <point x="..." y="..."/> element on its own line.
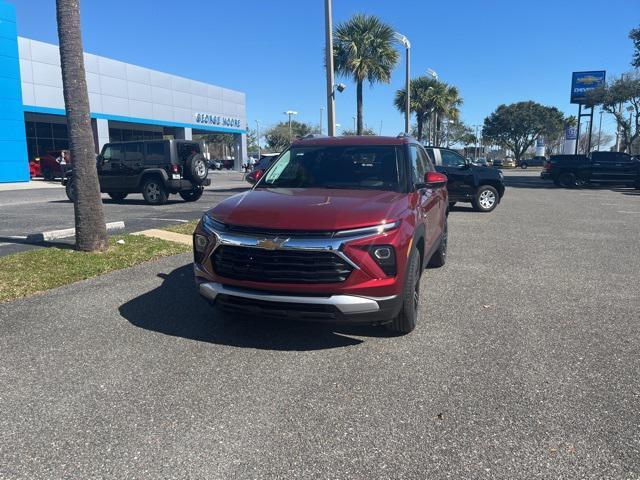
<point x="524" y="366"/>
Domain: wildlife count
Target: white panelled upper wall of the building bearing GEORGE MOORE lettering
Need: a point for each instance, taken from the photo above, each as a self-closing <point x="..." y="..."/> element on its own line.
<point x="118" y="89"/>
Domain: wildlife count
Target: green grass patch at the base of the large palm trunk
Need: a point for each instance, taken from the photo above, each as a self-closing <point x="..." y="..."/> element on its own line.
<point x="38" y="270"/>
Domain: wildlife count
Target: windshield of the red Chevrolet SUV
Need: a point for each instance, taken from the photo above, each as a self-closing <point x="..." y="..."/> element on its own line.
<point x="343" y="167"/>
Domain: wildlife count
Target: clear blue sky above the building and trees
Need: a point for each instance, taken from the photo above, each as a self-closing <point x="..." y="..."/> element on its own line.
<point x="495" y="51"/>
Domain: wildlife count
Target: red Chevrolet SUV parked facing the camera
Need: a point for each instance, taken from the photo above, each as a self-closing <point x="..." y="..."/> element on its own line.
<point x="337" y="229"/>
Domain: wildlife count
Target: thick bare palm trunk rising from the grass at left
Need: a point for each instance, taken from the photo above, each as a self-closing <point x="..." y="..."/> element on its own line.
<point x="91" y="233"/>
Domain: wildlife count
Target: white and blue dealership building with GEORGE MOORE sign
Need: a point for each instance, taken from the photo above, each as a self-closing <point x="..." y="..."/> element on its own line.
<point x="127" y="102"/>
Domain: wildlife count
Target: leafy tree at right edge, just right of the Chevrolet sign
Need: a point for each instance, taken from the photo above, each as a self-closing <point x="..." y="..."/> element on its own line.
<point x="624" y="91"/>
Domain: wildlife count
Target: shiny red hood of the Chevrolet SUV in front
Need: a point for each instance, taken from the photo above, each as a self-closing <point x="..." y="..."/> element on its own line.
<point x="310" y="209"/>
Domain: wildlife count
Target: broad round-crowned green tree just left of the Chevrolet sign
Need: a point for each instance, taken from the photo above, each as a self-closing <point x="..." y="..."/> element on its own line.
<point x="517" y="126"/>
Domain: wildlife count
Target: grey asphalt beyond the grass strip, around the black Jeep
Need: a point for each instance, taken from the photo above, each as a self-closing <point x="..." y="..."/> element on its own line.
<point x="34" y="210"/>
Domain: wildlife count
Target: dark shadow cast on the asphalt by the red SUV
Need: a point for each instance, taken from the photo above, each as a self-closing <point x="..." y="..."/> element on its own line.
<point x="175" y="308"/>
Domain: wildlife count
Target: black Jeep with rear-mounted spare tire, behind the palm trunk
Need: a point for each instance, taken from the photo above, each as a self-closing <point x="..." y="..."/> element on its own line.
<point x="155" y="168"/>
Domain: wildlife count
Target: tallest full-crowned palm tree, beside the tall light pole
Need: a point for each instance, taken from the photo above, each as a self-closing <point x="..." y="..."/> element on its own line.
<point x="363" y="48"/>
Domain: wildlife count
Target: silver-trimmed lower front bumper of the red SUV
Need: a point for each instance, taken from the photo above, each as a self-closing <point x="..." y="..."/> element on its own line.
<point x="332" y="308"/>
